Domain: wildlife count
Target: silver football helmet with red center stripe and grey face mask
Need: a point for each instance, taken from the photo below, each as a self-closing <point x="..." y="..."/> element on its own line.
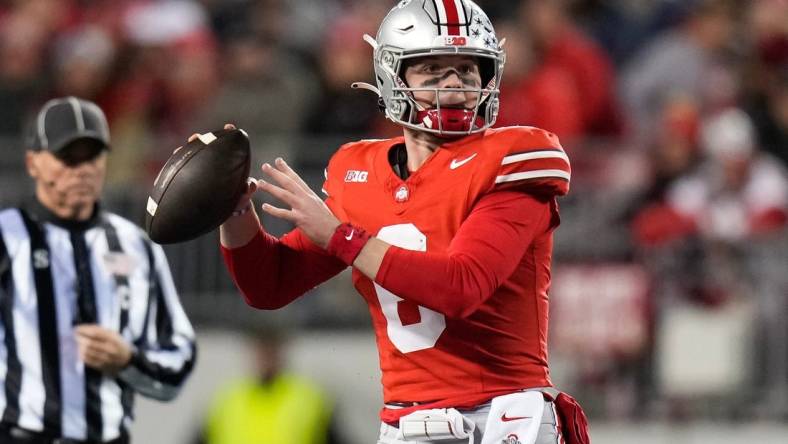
<point x="422" y="28"/>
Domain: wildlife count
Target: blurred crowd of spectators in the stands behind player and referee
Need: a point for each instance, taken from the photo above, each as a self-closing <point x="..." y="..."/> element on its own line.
<point x="674" y="112"/>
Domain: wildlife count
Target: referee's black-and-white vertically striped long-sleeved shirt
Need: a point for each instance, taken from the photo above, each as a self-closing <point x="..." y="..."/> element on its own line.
<point x="55" y="274"/>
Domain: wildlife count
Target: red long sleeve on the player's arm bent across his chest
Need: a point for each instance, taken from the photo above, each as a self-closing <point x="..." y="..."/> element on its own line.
<point x="483" y="254"/>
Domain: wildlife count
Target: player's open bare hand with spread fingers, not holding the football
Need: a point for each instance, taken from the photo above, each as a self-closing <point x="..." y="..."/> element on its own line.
<point x="307" y="211"/>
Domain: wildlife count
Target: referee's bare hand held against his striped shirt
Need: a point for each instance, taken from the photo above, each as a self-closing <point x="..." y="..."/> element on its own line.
<point x="102" y="349"/>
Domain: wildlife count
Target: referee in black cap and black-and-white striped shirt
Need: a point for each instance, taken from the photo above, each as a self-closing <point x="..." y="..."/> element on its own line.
<point x="89" y="314"/>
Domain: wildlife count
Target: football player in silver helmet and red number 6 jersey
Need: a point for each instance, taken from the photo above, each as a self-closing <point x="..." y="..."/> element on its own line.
<point x="448" y="230"/>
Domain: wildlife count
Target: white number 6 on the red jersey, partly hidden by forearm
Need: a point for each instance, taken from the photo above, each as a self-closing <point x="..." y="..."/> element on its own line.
<point x="423" y="334"/>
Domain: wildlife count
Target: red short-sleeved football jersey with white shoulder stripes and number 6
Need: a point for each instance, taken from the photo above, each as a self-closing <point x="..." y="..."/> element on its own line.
<point x="425" y="356"/>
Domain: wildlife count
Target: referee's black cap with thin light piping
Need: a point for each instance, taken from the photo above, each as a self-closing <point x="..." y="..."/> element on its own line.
<point x="65" y="120"/>
